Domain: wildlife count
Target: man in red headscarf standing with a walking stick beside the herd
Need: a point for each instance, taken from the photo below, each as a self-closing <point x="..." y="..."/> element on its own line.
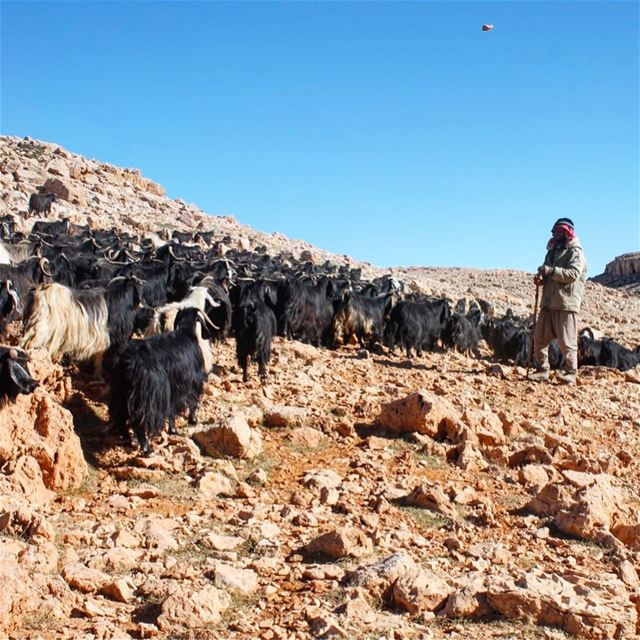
<point x="562" y="278"/>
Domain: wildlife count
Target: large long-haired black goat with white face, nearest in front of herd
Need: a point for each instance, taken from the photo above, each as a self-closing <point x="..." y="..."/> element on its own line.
<point x="157" y="378"/>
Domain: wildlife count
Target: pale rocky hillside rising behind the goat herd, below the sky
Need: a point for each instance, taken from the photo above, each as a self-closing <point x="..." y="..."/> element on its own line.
<point x="105" y="196"/>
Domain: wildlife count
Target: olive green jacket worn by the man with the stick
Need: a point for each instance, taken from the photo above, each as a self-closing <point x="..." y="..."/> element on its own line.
<point x="562" y="290"/>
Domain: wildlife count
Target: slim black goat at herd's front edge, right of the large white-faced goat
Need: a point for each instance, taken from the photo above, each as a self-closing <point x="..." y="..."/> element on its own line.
<point x="254" y="325"/>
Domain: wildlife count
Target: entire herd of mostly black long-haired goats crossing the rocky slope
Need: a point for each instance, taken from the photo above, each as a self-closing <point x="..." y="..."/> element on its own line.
<point x="82" y="294"/>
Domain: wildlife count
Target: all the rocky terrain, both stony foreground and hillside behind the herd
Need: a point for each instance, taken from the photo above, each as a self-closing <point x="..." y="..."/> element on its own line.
<point x="354" y="495"/>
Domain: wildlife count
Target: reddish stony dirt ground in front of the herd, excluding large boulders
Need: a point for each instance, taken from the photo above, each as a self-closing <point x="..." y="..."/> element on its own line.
<point x="269" y="517"/>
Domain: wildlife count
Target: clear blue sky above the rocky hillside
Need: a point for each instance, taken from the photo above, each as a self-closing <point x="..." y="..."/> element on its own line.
<point x="395" y="132"/>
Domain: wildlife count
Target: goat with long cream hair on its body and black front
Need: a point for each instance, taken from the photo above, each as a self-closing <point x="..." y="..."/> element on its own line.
<point x="78" y="323"/>
